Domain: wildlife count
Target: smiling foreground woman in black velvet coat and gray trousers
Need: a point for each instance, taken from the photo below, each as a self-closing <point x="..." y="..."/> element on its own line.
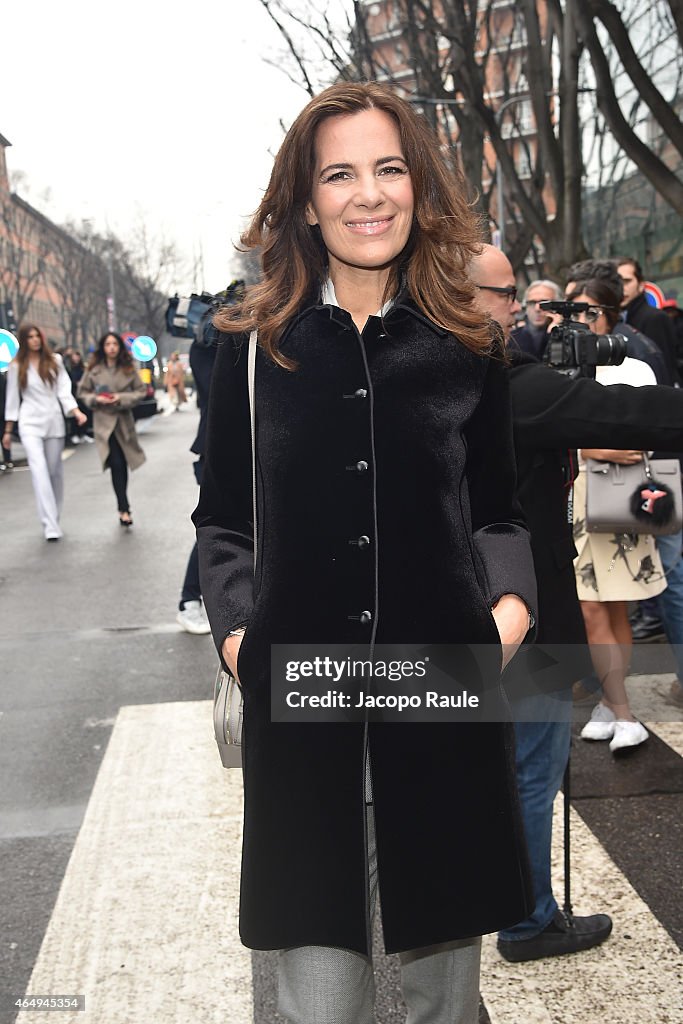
<point x="386" y="516"/>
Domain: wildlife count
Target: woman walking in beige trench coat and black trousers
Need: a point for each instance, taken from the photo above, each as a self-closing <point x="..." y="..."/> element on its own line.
<point x="111" y="388"/>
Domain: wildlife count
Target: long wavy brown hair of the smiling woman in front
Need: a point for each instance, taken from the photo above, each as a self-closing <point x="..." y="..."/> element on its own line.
<point x="445" y="237"/>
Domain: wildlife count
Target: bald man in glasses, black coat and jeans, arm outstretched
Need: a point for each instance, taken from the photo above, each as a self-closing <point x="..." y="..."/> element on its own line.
<point x="553" y="414"/>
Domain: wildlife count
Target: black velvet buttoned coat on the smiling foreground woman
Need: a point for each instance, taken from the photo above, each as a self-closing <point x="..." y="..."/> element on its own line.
<point x="404" y="437"/>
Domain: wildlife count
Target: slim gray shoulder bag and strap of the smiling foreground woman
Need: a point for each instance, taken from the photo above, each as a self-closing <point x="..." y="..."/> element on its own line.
<point x="228" y="700"/>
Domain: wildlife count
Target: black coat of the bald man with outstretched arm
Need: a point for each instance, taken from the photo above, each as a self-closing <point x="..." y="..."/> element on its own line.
<point x="552" y="415"/>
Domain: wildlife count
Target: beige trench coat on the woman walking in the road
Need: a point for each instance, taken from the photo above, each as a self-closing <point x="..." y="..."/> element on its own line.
<point x="118" y="420"/>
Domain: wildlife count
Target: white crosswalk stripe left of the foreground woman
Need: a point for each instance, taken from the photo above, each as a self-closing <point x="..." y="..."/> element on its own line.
<point x="146" y="922"/>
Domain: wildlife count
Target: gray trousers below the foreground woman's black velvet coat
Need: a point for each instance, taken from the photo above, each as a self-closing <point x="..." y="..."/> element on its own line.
<point x="326" y="986"/>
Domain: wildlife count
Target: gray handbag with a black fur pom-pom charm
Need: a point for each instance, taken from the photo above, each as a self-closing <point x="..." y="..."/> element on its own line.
<point x="645" y="498"/>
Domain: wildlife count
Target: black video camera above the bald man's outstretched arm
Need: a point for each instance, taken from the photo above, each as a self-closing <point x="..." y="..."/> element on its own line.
<point x="574" y="350"/>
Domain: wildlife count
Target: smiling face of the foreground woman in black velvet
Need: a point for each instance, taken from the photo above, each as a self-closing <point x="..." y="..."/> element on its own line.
<point x="362" y="197"/>
